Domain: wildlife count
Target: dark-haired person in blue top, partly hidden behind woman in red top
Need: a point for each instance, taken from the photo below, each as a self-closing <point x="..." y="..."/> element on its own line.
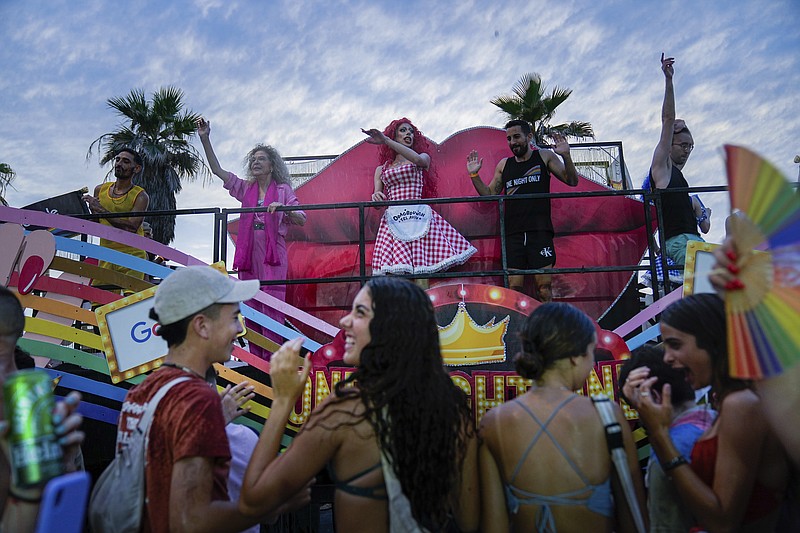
<point x="665" y="509"/>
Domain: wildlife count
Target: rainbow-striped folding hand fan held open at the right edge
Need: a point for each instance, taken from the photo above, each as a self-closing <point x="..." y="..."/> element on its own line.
<point x="764" y="317"/>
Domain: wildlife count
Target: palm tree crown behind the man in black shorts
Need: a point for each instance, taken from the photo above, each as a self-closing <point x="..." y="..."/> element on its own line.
<point x="528" y="102"/>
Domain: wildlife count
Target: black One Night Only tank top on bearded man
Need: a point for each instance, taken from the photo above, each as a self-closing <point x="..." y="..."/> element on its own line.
<point x="527" y="177"/>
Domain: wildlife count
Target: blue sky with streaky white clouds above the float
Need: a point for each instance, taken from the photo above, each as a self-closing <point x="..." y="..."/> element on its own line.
<point x="306" y="75"/>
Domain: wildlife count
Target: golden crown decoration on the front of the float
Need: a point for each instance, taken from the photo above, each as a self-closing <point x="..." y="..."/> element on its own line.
<point x="464" y="342"/>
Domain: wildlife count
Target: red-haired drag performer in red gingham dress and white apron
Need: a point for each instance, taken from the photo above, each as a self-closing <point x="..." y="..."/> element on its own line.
<point x="412" y="239"/>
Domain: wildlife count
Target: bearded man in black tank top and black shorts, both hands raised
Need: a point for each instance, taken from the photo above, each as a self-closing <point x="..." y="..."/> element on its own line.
<point x="529" y="228"/>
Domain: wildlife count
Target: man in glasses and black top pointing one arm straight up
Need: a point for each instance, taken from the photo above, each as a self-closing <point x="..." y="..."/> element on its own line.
<point x="670" y="156"/>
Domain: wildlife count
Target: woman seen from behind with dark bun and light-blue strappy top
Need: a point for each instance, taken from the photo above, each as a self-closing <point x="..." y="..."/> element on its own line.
<point x="544" y="462"/>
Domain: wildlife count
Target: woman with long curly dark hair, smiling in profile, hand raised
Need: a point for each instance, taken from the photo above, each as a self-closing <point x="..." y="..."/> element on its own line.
<point x="397" y="434"/>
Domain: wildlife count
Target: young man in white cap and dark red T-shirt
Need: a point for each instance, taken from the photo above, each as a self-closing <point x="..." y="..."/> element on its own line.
<point x="187" y="453"/>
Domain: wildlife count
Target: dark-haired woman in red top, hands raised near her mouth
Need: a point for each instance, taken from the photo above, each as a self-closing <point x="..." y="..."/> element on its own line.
<point x="736" y="475"/>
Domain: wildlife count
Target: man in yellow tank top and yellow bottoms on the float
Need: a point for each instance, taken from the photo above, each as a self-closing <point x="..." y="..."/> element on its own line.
<point x="121" y="196"/>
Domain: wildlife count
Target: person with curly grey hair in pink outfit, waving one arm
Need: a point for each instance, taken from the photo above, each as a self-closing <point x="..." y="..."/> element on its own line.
<point x="261" y="245"/>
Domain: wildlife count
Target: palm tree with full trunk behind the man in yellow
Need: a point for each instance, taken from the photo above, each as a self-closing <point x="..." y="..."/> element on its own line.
<point x="158" y="130"/>
